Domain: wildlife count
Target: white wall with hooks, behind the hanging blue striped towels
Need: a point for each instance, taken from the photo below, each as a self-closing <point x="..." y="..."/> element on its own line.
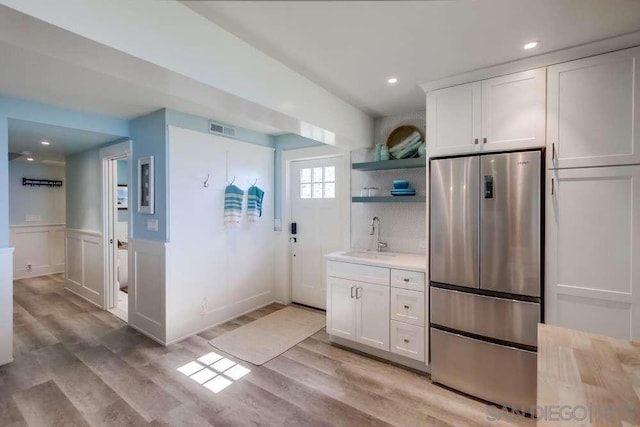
<point x="214" y="273"/>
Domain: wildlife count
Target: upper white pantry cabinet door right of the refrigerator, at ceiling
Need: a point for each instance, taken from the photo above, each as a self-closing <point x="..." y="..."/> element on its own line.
<point x="593" y="112"/>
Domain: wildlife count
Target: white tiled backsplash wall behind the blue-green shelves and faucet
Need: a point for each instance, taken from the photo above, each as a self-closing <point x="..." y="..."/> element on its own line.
<point x="403" y="225"/>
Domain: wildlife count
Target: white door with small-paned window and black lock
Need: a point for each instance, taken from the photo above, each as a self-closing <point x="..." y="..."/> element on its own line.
<point x="319" y="212"/>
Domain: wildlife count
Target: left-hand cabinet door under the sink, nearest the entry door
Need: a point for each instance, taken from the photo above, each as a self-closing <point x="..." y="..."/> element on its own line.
<point x="341" y="308"/>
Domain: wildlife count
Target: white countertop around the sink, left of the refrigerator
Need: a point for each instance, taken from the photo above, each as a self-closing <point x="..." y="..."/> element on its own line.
<point x="381" y="259"/>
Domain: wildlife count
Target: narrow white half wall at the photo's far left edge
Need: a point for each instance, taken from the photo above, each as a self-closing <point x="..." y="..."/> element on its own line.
<point x="6" y="305"/>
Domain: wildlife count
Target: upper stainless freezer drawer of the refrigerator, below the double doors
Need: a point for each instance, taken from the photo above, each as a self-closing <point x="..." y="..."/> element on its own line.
<point x="503" y="319"/>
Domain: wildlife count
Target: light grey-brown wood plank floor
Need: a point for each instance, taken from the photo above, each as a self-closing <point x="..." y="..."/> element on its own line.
<point x="78" y="365"/>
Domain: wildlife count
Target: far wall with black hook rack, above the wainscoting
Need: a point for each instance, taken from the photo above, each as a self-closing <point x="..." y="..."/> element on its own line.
<point x="46" y="202"/>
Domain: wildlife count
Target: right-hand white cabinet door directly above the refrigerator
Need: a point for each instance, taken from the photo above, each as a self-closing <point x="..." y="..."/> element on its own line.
<point x="513" y="111"/>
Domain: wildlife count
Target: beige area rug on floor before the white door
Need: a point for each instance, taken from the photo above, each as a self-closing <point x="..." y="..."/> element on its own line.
<point x="263" y="339"/>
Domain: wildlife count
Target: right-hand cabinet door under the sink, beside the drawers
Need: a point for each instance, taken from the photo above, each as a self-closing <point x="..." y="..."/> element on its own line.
<point x="372" y="311"/>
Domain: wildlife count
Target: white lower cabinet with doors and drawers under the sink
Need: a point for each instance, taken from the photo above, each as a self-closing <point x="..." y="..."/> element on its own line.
<point x="388" y="314"/>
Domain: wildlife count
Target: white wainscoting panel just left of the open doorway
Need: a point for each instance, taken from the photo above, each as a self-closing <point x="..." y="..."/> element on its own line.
<point x="84" y="265"/>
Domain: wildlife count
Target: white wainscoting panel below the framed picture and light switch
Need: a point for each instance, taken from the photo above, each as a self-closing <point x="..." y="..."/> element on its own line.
<point x="147" y="288"/>
